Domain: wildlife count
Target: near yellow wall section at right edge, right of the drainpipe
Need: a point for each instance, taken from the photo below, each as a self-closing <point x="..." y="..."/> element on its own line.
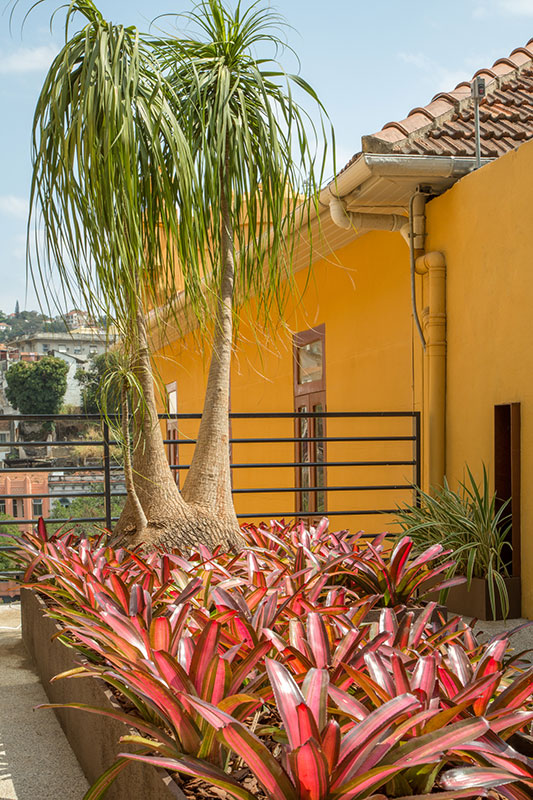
<point x="484" y="227"/>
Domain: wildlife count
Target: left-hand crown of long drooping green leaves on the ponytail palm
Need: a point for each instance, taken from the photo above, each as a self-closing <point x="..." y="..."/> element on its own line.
<point x="111" y="168"/>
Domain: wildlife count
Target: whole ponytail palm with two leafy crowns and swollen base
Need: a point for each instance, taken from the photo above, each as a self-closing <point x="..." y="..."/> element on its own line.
<point x="162" y="164"/>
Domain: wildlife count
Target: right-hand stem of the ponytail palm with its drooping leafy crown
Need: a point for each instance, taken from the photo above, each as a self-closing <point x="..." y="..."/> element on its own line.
<point x="257" y="170"/>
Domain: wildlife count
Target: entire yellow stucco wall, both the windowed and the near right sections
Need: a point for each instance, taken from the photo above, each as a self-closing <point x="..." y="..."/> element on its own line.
<point x="374" y="361"/>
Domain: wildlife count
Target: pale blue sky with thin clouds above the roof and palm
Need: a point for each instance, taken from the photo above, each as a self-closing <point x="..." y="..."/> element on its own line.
<point x="370" y="63"/>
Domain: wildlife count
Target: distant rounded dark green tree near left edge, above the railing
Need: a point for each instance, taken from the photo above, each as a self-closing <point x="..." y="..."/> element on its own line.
<point x="37" y="387"/>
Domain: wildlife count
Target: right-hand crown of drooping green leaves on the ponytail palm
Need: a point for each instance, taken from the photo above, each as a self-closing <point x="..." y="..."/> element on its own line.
<point x="251" y="142"/>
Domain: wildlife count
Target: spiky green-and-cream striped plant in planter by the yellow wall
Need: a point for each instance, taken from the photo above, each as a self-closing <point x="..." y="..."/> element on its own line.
<point x="469" y="522"/>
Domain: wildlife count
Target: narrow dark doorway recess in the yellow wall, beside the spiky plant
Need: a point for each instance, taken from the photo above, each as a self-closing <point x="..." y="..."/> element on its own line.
<point x="507" y="470"/>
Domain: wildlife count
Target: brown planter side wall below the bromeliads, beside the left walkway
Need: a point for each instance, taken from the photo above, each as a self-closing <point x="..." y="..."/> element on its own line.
<point x="94" y="739"/>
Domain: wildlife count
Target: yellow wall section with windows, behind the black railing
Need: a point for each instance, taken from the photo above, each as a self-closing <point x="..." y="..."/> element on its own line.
<point x="363" y="299"/>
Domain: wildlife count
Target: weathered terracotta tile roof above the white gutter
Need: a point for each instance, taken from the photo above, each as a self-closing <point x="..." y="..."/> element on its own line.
<point x="446" y="125"/>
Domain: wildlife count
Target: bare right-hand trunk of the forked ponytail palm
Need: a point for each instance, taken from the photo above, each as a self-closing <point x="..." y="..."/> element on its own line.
<point x="208" y="482"/>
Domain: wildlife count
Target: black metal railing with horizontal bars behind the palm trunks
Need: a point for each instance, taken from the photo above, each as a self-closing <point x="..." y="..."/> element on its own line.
<point x="355" y="447"/>
